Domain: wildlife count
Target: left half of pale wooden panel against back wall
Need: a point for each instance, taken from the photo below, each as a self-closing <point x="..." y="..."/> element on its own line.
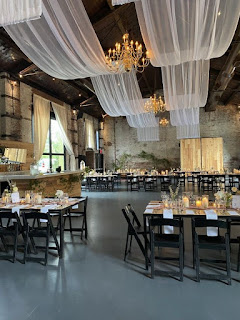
<point x="190" y="154"/>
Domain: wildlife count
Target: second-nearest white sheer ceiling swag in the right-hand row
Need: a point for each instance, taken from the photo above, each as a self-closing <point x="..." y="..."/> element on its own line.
<point x="186" y="85"/>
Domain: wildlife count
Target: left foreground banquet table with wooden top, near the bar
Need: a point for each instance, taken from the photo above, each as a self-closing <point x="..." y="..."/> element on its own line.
<point x="50" y="205"/>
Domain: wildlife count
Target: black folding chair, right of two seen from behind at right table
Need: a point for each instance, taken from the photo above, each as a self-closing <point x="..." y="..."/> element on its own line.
<point x="211" y="243"/>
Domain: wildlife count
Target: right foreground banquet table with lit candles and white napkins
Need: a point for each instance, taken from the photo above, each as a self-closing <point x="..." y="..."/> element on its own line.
<point x="155" y="208"/>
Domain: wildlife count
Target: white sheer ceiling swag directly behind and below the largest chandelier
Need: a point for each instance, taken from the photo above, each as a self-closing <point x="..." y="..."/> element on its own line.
<point x="119" y="94"/>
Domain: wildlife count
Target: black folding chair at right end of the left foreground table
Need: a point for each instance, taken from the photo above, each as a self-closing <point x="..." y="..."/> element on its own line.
<point x="78" y="213"/>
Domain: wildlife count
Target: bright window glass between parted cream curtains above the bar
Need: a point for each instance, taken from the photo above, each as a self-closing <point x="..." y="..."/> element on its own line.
<point x="54" y="152"/>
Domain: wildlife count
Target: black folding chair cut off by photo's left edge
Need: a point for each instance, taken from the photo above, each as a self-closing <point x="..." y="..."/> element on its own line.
<point x="10" y="227"/>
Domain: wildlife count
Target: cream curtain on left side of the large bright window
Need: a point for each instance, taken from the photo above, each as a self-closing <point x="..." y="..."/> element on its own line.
<point x="41" y="108"/>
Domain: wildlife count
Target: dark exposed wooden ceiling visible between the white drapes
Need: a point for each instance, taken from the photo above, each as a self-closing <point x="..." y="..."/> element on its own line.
<point x="110" y="23"/>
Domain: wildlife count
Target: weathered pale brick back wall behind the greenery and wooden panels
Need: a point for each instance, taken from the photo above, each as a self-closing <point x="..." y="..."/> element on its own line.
<point x="120" y="138"/>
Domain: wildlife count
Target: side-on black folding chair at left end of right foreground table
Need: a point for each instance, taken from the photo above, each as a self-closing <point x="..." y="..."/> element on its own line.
<point x="133" y="231"/>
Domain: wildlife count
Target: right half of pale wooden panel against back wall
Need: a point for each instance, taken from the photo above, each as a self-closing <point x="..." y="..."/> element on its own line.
<point x="212" y="154"/>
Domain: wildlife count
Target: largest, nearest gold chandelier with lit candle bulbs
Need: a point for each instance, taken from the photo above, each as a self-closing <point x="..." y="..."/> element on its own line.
<point x="127" y="57"/>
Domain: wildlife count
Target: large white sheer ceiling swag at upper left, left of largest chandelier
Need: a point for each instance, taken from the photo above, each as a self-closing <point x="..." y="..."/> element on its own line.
<point x="62" y="42"/>
